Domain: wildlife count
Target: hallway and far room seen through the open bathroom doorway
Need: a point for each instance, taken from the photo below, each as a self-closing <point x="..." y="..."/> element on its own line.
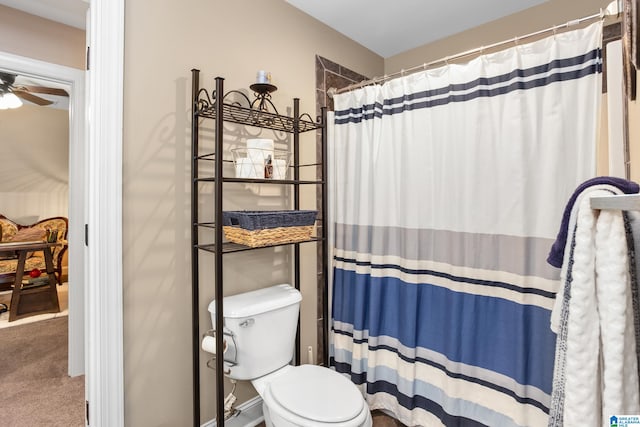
<point x="40" y="278"/>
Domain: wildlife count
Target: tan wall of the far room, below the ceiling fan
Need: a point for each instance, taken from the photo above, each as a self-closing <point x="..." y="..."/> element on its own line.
<point x="34" y="148"/>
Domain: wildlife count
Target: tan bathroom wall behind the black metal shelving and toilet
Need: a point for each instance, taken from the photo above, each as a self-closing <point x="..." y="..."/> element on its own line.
<point x="232" y="39"/>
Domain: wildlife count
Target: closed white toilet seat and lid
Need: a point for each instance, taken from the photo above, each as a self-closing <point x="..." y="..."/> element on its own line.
<point x="311" y="396"/>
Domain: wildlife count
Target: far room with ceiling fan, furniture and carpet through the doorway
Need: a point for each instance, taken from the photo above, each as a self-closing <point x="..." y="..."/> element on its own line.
<point x="34" y="266"/>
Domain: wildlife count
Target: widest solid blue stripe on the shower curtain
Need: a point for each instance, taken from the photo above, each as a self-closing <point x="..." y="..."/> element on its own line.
<point x="424" y="316"/>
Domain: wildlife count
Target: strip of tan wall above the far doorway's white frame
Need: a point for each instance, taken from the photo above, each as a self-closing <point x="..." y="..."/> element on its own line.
<point x="34" y="37"/>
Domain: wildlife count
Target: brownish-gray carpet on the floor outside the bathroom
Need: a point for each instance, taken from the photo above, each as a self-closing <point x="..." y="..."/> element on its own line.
<point x="35" y="388"/>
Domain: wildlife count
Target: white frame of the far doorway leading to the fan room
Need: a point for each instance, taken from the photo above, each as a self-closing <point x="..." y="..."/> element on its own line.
<point x="73" y="80"/>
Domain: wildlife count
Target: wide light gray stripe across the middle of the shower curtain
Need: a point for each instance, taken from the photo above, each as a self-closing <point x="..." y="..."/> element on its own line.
<point x="519" y="255"/>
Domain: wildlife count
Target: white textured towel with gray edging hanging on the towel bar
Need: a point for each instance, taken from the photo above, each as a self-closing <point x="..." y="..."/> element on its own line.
<point x="596" y="372"/>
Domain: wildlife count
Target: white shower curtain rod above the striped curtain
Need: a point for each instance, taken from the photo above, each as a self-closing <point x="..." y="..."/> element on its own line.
<point x="446" y="59"/>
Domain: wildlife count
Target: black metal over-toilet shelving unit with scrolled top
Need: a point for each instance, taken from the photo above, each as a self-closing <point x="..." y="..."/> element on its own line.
<point x="224" y="107"/>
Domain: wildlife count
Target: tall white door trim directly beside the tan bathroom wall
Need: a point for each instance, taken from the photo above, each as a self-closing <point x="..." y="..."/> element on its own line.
<point x="104" y="327"/>
